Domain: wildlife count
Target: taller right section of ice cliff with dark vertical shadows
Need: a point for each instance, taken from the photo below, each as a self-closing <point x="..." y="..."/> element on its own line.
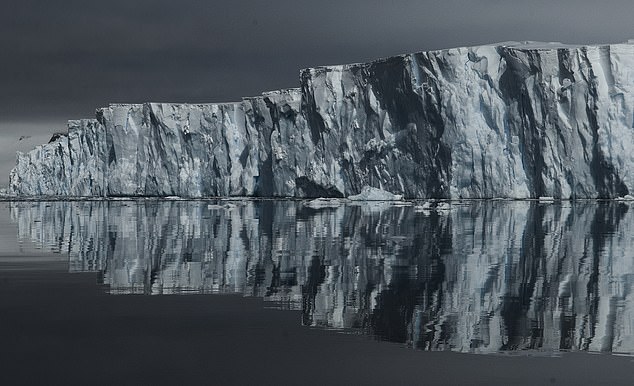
<point x="517" y="120"/>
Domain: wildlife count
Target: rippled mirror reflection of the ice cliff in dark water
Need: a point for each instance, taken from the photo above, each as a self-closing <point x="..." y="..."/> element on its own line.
<point x="481" y="277"/>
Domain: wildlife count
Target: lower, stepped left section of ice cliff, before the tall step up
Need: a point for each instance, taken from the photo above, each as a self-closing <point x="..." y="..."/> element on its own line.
<point x="164" y="149"/>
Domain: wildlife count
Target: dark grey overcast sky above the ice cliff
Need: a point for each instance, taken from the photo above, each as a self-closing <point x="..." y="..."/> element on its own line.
<point x="62" y="59"/>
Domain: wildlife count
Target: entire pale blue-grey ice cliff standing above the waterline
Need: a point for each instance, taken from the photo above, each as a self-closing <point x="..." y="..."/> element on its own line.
<point x="511" y="120"/>
